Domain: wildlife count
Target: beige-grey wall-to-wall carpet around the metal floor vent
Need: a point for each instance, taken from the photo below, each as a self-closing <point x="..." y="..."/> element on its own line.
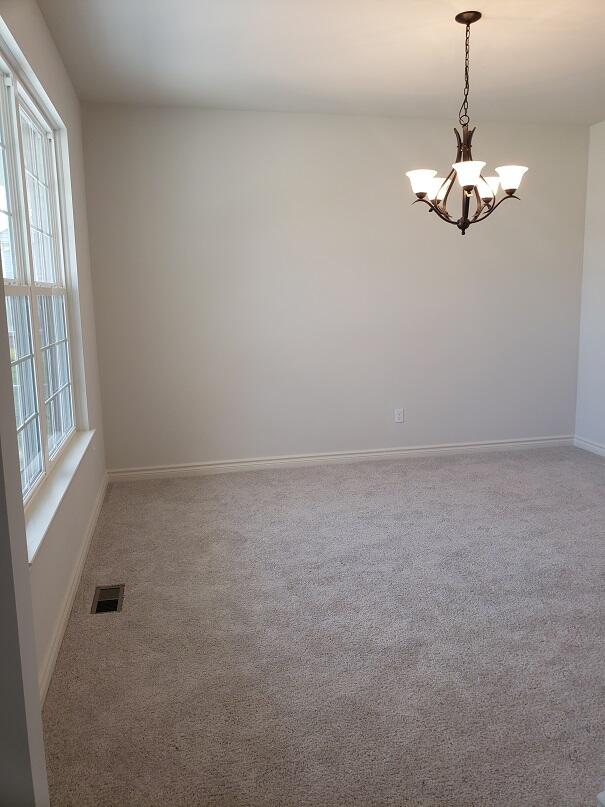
<point x="425" y="633"/>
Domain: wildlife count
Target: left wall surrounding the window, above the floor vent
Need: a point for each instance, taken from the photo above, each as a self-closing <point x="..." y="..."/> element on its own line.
<point x="53" y="567"/>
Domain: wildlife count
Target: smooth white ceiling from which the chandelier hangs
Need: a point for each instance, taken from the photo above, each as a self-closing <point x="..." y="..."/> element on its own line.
<point x="537" y="60"/>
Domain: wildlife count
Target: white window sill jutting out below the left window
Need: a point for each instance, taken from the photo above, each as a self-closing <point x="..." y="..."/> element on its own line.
<point x="40" y="512"/>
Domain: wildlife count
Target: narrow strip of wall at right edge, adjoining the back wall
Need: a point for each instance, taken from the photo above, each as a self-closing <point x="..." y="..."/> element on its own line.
<point x="591" y="376"/>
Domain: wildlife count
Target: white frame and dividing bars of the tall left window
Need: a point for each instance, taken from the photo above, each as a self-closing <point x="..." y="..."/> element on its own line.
<point x="16" y="94"/>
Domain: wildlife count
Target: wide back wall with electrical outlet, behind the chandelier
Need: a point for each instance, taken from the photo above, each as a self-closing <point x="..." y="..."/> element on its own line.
<point x="263" y="287"/>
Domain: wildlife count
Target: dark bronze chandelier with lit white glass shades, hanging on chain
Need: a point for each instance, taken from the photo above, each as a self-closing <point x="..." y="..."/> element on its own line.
<point x="482" y="192"/>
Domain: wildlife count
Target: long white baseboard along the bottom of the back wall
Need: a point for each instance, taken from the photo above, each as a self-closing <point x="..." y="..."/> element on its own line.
<point x="298" y="460"/>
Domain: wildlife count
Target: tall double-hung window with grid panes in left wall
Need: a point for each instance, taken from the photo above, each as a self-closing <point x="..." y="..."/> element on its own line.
<point x="31" y="249"/>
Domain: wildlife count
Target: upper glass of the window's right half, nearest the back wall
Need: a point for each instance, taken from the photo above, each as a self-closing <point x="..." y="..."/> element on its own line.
<point x="38" y="154"/>
